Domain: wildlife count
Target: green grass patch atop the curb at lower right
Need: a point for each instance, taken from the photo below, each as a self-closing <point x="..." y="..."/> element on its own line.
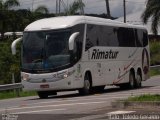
<point x="143" y="98"/>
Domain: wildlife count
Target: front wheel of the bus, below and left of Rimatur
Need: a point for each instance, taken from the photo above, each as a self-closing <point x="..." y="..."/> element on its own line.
<point x="87" y="86"/>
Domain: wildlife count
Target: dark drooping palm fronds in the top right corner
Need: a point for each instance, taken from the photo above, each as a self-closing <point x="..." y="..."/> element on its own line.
<point x="152" y="11"/>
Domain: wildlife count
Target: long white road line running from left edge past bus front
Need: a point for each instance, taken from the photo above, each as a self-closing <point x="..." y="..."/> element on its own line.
<point x="71" y="104"/>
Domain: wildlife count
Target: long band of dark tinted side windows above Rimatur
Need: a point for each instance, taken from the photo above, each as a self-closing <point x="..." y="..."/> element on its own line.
<point x="98" y="35"/>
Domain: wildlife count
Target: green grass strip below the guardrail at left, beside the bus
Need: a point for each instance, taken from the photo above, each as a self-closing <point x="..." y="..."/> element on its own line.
<point x="12" y="94"/>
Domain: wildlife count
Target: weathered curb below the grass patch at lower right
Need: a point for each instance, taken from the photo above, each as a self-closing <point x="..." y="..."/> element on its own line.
<point x="125" y="104"/>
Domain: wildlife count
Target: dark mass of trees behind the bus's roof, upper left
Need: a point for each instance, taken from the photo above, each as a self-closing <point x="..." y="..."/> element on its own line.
<point x="17" y="20"/>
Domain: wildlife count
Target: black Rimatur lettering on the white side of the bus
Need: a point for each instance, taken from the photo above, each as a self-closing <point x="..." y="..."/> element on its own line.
<point x="98" y="54"/>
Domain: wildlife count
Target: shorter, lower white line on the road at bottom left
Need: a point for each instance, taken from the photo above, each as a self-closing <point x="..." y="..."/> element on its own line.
<point x="38" y="111"/>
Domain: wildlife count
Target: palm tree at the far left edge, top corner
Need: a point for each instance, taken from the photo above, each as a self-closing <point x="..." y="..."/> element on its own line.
<point x="5" y="6"/>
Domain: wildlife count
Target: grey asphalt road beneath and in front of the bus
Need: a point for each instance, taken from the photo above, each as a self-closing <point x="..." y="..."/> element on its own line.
<point x="72" y="106"/>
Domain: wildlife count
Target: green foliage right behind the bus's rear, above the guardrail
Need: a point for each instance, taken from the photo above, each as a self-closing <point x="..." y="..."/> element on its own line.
<point x="155" y="52"/>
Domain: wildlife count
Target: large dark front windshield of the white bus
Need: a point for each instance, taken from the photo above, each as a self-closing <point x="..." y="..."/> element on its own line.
<point x="45" y="50"/>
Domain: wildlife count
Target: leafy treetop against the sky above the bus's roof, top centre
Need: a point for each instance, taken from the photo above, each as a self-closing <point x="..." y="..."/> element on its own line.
<point x="74" y="7"/>
